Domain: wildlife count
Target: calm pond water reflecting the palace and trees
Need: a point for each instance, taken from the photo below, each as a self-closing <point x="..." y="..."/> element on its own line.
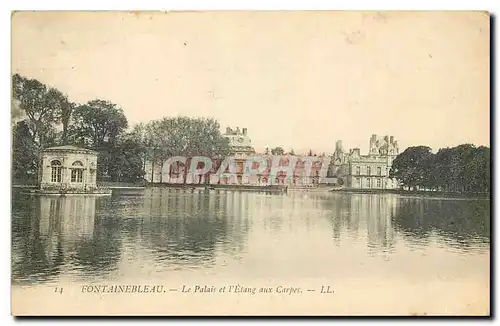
<point x="381" y="248"/>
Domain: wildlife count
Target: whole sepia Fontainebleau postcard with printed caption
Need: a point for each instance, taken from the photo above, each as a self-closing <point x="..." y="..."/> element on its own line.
<point x="249" y="163"/>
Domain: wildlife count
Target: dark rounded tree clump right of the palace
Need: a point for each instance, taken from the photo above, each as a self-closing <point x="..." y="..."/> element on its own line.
<point x="464" y="168"/>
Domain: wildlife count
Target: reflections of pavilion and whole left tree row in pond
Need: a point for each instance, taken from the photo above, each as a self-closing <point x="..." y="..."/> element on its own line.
<point x="88" y="237"/>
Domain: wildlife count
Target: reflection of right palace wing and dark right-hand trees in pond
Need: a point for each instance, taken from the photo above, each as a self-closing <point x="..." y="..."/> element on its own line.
<point x="381" y="219"/>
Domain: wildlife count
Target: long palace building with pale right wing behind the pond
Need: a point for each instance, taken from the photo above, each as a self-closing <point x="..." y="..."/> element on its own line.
<point x="349" y="169"/>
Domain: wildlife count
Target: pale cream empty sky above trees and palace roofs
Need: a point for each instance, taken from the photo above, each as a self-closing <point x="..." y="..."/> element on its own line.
<point x="296" y="79"/>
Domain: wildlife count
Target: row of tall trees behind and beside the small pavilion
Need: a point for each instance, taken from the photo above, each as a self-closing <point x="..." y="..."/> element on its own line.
<point x="43" y="117"/>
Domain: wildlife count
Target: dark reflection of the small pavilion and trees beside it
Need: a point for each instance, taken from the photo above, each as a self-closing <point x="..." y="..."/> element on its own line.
<point x="51" y="232"/>
